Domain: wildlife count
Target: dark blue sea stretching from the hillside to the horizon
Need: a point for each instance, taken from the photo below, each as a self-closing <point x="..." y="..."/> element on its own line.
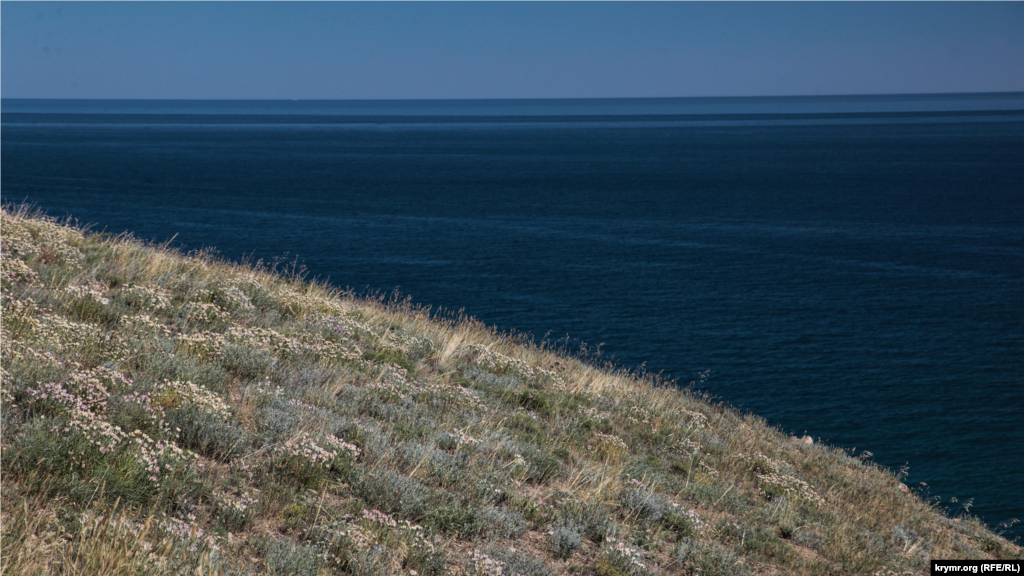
<point x="849" y="268"/>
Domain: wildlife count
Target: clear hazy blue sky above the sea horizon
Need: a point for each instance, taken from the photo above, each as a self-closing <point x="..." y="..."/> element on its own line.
<point x="511" y="49"/>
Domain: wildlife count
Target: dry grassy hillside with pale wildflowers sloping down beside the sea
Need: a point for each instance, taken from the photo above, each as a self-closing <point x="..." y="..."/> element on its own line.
<point x="163" y="414"/>
